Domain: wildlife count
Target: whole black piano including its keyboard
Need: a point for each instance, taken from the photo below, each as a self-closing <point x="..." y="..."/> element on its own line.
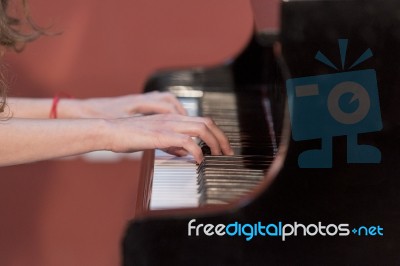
<point x="240" y="210"/>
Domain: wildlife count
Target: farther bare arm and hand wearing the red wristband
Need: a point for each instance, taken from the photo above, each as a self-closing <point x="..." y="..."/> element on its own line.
<point x="107" y="107"/>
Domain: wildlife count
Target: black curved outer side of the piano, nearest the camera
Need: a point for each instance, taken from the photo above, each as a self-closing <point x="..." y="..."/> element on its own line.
<point x="362" y="196"/>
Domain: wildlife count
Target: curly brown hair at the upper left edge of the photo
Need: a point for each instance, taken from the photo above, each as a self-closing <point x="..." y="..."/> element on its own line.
<point x="13" y="37"/>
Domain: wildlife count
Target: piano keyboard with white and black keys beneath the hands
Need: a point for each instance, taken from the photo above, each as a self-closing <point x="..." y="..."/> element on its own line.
<point x="179" y="183"/>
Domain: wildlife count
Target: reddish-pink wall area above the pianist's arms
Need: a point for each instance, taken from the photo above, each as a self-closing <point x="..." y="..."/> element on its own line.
<point x="111" y="47"/>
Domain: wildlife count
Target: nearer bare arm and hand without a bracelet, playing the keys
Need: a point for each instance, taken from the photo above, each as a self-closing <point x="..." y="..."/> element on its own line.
<point x="29" y="140"/>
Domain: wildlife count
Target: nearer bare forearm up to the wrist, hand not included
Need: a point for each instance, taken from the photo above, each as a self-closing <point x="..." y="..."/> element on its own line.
<point x="29" y="140"/>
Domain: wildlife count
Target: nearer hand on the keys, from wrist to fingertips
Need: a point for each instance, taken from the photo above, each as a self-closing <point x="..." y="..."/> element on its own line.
<point x="171" y="132"/>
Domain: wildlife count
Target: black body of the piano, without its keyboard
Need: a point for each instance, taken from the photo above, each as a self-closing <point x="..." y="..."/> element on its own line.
<point x="359" y="196"/>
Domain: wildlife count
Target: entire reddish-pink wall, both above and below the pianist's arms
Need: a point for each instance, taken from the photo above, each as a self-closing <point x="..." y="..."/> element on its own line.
<point x="73" y="212"/>
